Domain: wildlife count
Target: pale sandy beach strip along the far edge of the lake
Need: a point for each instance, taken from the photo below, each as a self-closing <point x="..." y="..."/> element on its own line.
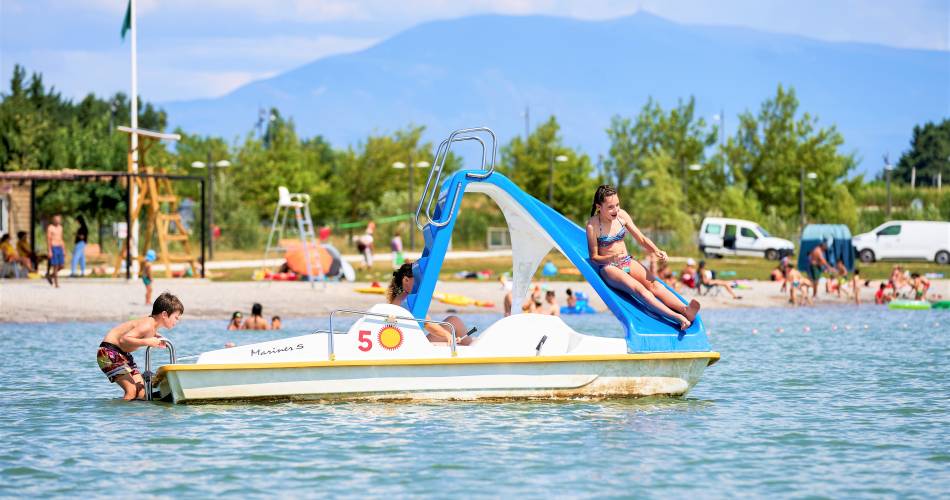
<point x="85" y="299"/>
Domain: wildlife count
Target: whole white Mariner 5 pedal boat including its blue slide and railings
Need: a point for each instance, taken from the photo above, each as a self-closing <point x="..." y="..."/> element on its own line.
<point x="384" y="354"/>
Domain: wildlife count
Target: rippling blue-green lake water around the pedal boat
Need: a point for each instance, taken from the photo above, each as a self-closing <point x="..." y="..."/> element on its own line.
<point x="857" y="406"/>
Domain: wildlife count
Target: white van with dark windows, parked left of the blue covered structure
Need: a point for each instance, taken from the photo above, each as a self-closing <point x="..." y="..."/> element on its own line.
<point x="720" y="237"/>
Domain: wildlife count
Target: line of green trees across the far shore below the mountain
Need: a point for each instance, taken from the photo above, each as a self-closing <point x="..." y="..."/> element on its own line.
<point x="667" y="165"/>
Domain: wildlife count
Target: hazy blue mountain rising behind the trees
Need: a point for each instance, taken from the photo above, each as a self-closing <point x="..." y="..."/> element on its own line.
<point x="483" y="70"/>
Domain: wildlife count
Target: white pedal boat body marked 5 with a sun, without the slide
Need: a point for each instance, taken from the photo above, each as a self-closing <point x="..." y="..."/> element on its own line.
<point x="385" y="355"/>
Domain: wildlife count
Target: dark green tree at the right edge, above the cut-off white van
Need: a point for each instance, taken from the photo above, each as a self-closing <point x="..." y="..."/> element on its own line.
<point x="929" y="153"/>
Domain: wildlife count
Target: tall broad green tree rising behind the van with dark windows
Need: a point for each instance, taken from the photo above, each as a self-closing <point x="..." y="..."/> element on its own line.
<point x="771" y="150"/>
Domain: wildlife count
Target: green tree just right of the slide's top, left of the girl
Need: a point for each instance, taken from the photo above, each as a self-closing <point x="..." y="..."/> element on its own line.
<point x="533" y="166"/>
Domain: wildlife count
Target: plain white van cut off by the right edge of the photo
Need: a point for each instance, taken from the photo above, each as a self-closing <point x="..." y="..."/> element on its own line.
<point x="905" y="240"/>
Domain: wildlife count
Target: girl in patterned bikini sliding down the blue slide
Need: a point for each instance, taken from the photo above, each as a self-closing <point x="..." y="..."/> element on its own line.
<point x="606" y="229"/>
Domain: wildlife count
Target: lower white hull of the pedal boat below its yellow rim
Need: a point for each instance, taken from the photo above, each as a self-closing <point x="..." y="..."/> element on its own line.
<point x="460" y="379"/>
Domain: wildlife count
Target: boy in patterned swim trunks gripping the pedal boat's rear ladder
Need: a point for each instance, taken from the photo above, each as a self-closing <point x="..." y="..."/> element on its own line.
<point x="114" y="356"/>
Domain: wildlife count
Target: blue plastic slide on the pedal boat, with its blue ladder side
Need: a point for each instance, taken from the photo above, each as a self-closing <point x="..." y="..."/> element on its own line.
<point x="646" y="330"/>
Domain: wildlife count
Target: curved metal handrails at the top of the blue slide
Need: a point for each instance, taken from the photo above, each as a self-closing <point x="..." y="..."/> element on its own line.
<point x="435" y="174"/>
